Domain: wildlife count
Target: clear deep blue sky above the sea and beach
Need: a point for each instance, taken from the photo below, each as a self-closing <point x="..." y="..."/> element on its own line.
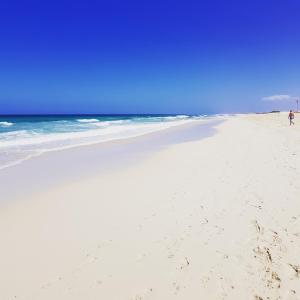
<point x="147" y="56"/>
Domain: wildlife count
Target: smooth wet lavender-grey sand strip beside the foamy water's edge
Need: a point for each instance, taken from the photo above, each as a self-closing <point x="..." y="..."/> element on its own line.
<point x="74" y="163"/>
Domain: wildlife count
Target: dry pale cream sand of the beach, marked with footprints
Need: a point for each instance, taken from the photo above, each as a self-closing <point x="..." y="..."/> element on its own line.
<point x="214" y="218"/>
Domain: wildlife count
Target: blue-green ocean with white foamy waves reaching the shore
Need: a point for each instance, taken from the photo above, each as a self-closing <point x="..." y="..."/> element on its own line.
<point x="23" y="137"/>
